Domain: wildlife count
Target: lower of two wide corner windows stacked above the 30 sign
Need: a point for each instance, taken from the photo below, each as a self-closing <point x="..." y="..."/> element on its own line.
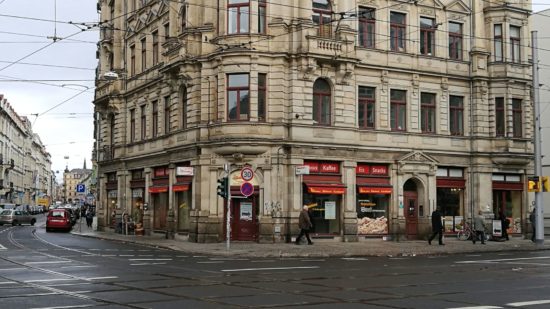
<point x="238" y="97"/>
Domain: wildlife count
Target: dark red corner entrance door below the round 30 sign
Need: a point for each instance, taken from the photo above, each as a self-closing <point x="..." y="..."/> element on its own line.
<point x="244" y="219"/>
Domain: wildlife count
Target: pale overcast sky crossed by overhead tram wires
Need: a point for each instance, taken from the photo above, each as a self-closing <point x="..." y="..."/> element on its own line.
<point x="55" y="79"/>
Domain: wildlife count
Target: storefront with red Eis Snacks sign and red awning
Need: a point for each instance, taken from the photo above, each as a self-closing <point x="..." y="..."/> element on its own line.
<point x="373" y="198"/>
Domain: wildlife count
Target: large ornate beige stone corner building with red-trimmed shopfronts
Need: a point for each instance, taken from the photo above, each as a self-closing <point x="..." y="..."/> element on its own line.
<point x="372" y="113"/>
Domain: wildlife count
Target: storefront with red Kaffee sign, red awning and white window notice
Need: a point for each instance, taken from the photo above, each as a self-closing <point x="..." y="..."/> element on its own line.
<point x="323" y="190"/>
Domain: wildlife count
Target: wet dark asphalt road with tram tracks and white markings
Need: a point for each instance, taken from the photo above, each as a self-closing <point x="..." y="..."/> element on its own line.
<point x="62" y="270"/>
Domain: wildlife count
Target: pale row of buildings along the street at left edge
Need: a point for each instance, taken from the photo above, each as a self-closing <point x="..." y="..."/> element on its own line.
<point x="25" y="171"/>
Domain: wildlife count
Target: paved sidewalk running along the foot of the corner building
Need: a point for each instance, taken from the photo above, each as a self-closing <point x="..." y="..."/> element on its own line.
<point x="321" y="248"/>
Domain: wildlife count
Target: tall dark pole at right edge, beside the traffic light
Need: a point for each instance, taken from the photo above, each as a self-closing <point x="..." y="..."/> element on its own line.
<point x="539" y="214"/>
